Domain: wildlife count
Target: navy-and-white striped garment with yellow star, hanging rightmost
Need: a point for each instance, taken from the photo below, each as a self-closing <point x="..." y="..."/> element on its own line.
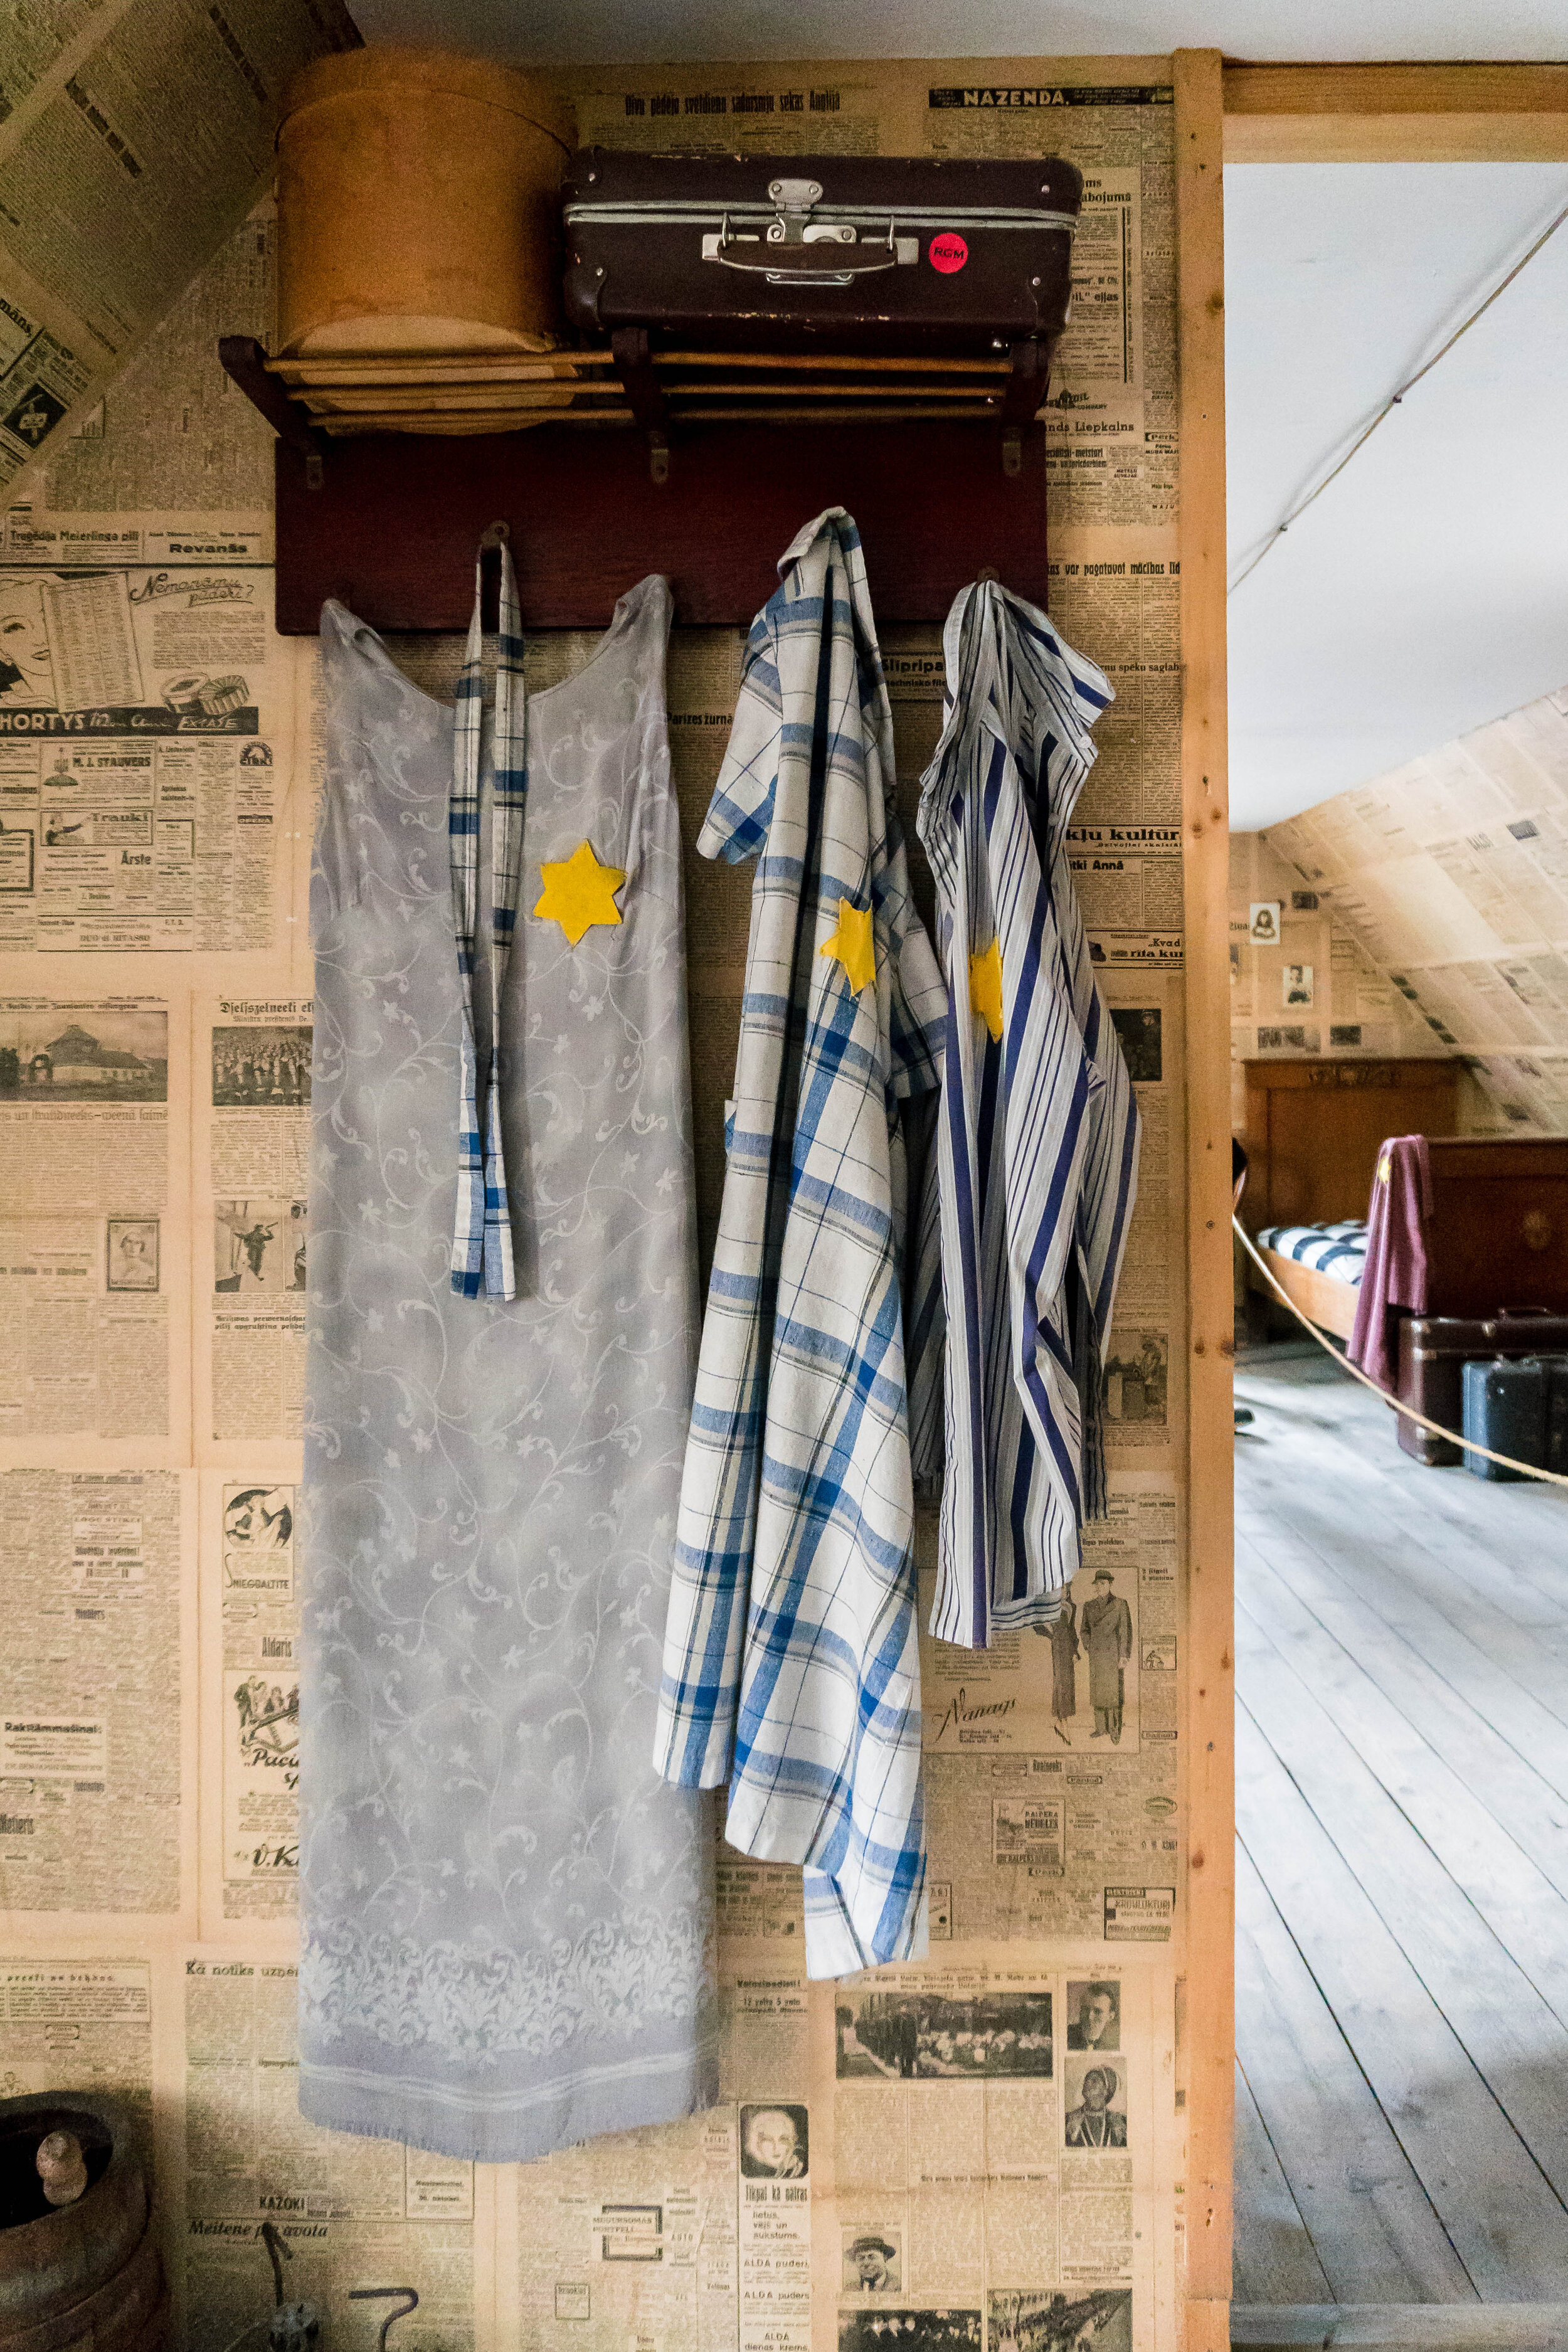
<point x="1038" y="1144"/>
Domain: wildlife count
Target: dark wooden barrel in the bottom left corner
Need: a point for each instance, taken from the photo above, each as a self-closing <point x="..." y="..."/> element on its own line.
<point x="55" y="2259"/>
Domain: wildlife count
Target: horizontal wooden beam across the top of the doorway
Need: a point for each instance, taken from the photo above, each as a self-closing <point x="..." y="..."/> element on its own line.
<point x="1398" y="114"/>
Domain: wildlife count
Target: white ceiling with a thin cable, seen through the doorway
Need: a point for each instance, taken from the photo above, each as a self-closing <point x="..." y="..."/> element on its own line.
<point x="1428" y="589"/>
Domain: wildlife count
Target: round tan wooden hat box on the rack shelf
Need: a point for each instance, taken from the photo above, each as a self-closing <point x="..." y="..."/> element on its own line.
<point x="417" y="206"/>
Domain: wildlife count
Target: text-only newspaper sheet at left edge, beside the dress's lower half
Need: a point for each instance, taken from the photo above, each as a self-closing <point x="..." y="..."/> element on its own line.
<point x="95" y="1690"/>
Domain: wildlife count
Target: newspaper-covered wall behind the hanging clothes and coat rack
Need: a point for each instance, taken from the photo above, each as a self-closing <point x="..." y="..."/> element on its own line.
<point x="984" y="2151"/>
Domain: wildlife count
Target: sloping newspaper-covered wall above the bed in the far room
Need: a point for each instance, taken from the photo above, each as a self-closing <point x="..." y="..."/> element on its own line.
<point x="1452" y="876"/>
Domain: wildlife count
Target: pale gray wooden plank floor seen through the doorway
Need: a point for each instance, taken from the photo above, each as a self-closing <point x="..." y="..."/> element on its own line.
<point x="1402" y="1887"/>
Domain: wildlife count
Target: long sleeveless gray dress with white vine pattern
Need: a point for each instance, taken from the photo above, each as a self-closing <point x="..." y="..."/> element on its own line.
<point x="507" y="1916"/>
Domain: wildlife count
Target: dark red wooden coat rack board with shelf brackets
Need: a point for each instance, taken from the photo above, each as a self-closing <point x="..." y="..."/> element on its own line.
<point x="389" y="521"/>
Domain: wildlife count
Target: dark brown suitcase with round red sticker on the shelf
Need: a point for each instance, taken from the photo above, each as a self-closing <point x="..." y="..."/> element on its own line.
<point x="822" y="253"/>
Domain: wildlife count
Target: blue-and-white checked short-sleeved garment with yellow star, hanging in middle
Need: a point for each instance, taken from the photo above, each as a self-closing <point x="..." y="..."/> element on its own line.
<point x="791" y="1652"/>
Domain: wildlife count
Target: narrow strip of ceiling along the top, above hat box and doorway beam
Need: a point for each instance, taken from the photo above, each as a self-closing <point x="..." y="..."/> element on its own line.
<point x="697" y="29"/>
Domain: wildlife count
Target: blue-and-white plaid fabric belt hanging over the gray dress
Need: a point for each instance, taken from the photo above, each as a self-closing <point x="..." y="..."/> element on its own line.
<point x="483" y="1234"/>
